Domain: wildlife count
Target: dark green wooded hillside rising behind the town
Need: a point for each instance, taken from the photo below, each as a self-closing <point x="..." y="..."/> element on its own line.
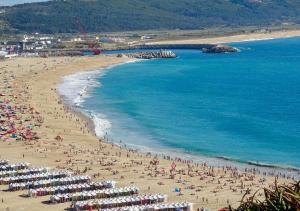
<point x="60" y="16"/>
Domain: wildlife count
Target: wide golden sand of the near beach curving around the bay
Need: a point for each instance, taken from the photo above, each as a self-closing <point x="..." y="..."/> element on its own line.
<point x="34" y="82"/>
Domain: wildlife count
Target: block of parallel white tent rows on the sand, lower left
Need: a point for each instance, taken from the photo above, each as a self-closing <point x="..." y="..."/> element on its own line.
<point x="84" y="194"/>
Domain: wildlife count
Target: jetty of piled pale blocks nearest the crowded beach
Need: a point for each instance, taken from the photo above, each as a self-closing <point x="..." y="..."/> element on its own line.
<point x="152" y="55"/>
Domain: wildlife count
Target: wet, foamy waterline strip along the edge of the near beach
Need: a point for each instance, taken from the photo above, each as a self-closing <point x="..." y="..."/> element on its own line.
<point x="216" y="161"/>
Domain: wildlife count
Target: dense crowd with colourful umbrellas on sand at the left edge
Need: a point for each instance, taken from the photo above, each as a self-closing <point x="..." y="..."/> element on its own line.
<point x="17" y="120"/>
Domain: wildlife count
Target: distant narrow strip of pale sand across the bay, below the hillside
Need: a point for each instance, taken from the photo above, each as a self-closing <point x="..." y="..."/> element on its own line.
<point x="234" y="38"/>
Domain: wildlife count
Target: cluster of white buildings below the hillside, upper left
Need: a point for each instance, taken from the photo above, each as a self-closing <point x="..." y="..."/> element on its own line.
<point x="64" y="45"/>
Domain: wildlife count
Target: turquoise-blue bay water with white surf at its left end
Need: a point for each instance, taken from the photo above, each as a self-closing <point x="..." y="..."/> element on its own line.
<point x="243" y="106"/>
